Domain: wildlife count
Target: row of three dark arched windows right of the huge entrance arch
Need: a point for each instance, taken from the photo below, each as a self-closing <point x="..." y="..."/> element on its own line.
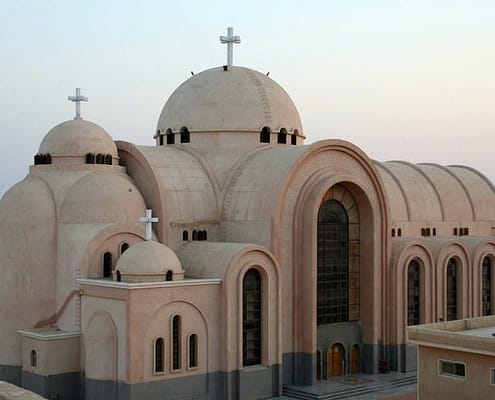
<point x="452" y="283"/>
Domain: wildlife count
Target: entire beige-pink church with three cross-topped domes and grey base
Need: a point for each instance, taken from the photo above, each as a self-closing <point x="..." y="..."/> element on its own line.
<point x="261" y="262"/>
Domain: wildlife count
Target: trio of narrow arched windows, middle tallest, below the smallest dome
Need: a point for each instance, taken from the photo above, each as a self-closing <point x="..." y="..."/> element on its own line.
<point x="176" y="348"/>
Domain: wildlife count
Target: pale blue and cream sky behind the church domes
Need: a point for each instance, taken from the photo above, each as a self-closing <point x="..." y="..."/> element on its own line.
<point x="411" y="80"/>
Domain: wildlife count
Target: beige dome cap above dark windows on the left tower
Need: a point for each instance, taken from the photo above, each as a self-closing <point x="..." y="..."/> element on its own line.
<point x="77" y="137"/>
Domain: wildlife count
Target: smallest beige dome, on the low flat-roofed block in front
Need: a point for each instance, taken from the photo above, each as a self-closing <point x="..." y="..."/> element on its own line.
<point x="148" y="261"/>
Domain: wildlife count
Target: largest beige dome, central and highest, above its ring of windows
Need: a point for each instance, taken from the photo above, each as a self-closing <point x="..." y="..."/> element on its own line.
<point x="236" y="99"/>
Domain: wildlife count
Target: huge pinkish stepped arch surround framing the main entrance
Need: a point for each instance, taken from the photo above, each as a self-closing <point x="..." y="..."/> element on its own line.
<point x="322" y="166"/>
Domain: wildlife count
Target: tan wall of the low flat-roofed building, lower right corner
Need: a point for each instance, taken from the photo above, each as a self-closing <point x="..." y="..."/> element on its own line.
<point x="432" y="386"/>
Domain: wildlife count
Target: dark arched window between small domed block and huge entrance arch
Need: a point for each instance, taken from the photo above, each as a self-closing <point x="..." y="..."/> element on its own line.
<point x="251" y="318"/>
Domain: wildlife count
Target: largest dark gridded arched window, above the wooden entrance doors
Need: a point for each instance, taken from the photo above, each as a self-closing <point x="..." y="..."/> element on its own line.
<point x="333" y="263"/>
